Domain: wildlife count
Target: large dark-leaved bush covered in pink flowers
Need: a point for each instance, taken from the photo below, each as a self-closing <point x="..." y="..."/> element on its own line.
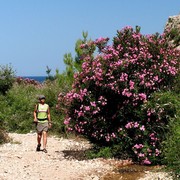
<point x="109" y="103"/>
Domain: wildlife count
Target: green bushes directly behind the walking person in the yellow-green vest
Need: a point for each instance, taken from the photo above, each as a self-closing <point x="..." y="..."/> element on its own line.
<point x="17" y="106"/>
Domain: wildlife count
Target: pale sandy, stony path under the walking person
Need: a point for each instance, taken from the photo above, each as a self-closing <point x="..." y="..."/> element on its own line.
<point x="20" y="161"/>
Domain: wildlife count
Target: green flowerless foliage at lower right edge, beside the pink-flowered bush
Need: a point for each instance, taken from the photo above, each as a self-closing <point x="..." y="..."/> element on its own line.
<point x="171" y="145"/>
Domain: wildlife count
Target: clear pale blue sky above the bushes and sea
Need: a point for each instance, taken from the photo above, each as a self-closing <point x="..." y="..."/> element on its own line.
<point x="37" y="33"/>
